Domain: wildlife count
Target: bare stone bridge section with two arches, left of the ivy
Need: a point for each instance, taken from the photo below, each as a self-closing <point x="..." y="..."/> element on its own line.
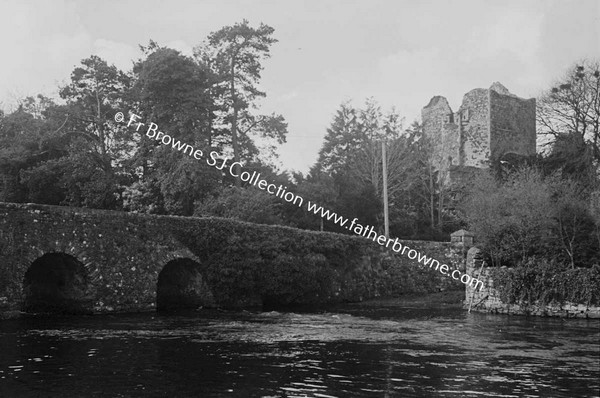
<point x="83" y="260"/>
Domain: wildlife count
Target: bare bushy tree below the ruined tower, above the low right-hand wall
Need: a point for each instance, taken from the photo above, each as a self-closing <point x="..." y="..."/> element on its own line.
<point x="527" y="215"/>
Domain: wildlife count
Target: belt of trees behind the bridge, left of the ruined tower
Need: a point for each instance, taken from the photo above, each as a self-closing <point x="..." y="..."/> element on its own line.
<point x="74" y="154"/>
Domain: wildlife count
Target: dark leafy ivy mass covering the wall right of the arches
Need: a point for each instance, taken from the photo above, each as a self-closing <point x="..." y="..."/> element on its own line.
<point x="251" y="264"/>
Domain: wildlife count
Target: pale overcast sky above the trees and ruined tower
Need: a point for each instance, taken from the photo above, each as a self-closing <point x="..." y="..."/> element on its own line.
<point x="399" y="52"/>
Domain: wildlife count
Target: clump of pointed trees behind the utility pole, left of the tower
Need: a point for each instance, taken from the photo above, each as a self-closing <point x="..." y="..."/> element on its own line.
<point x="350" y="166"/>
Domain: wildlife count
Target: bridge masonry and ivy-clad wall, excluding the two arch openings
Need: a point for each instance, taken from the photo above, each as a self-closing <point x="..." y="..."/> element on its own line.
<point x="243" y="264"/>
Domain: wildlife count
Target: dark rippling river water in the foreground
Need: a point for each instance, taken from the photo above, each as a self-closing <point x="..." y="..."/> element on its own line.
<point x="350" y="351"/>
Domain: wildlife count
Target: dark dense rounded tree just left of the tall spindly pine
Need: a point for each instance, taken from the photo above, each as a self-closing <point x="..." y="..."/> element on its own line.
<point x="171" y="90"/>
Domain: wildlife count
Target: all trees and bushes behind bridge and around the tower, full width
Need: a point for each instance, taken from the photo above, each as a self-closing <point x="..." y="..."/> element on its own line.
<point x="73" y="153"/>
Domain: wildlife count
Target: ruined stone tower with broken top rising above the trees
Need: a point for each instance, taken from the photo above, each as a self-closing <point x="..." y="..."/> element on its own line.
<point x="490" y="125"/>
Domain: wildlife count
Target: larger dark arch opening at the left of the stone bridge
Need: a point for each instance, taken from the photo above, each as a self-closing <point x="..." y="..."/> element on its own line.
<point x="57" y="282"/>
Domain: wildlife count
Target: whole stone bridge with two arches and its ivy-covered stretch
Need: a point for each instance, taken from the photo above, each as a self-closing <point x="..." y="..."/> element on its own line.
<point x="75" y="260"/>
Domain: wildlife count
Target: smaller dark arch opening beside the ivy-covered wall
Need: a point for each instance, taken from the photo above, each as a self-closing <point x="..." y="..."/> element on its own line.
<point x="182" y="285"/>
